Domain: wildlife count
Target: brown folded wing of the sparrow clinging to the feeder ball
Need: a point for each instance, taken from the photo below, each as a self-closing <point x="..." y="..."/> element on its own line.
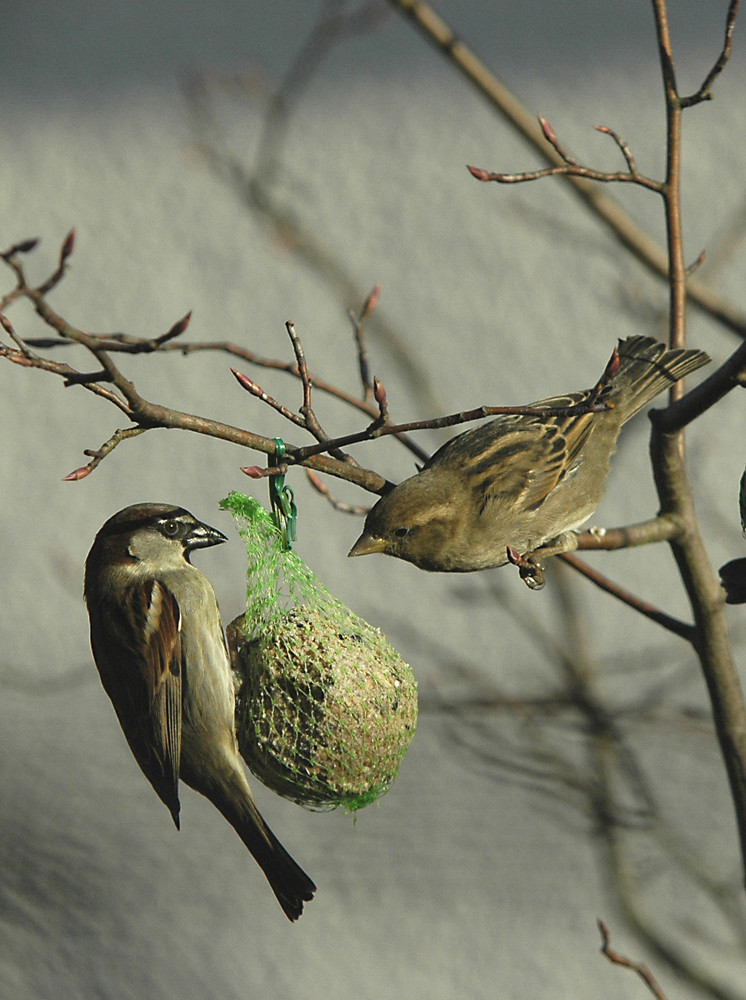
<point x="138" y="650"/>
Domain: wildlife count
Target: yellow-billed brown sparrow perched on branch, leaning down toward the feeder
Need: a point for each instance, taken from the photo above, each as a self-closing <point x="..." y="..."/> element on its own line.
<point x="503" y="490"/>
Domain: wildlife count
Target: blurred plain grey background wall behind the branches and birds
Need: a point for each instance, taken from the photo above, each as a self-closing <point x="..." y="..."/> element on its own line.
<point x="479" y="875"/>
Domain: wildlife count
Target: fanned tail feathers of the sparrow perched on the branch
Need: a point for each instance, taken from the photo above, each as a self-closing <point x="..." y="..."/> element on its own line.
<point x="646" y="368"/>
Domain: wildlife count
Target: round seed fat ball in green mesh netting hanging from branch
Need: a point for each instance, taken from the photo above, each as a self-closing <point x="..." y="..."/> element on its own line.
<point x="327" y="708"/>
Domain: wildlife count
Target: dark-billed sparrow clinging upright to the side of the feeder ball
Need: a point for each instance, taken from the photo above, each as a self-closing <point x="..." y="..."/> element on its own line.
<point x="159" y="647"/>
